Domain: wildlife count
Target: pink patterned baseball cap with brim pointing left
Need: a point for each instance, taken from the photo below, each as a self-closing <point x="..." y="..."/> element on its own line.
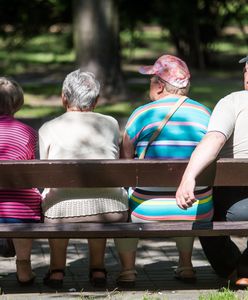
<point x="171" y="69"/>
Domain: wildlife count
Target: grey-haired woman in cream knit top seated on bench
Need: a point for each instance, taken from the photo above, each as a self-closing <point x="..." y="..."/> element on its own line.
<point x="81" y="133"/>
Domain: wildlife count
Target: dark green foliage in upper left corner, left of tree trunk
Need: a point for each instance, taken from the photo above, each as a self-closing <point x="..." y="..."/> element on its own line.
<point x="21" y="19"/>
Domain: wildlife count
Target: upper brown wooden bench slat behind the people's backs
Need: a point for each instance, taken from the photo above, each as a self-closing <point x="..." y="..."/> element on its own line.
<point x="113" y="173"/>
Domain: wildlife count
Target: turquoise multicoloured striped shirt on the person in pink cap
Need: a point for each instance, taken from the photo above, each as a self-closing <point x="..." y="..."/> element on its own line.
<point x="177" y="141"/>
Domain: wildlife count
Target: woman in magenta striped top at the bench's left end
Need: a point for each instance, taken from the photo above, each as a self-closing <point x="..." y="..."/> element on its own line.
<point x="17" y="142"/>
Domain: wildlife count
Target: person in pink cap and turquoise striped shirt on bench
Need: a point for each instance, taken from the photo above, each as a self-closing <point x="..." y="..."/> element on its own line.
<point x="168" y="127"/>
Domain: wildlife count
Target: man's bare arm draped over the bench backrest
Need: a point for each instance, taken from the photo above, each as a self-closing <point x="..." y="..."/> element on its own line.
<point x="205" y="153"/>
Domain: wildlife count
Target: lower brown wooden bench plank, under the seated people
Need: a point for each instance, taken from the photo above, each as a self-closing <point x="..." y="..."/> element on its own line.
<point x="122" y="230"/>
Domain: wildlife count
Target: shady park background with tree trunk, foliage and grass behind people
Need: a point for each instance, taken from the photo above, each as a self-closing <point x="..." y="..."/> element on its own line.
<point x="42" y="40"/>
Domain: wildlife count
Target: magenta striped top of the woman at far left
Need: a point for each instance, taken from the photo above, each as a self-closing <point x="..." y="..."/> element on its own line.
<point x="18" y="142"/>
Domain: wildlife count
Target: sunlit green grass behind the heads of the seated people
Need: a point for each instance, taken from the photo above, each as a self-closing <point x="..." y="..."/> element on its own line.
<point x="49" y="54"/>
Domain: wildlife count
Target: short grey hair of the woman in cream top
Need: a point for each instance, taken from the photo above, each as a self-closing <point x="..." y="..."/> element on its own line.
<point x="81" y="89"/>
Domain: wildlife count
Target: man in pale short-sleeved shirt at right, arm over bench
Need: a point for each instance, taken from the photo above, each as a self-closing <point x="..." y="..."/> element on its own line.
<point x="227" y="137"/>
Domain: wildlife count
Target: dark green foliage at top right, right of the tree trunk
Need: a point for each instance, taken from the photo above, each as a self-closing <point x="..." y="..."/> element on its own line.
<point x="193" y="25"/>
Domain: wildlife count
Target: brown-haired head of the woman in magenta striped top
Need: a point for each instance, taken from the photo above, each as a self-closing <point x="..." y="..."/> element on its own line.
<point x="11" y="96"/>
